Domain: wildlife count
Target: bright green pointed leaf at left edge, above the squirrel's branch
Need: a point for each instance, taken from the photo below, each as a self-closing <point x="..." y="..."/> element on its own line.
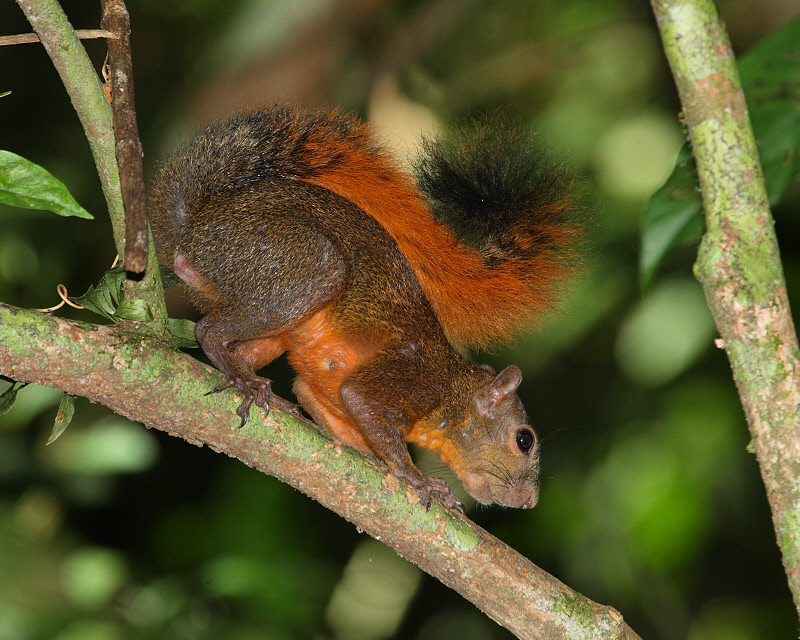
<point x="27" y="185"/>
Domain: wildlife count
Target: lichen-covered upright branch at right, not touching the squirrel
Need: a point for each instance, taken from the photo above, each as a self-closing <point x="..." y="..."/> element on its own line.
<point x="738" y="262"/>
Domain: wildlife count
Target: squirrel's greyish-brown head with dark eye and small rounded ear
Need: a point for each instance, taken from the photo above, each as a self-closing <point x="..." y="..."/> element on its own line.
<point x="498" y="456"/>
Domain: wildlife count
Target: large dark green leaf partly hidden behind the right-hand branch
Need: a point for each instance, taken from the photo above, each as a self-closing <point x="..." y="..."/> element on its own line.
<point x="770" y="76"/>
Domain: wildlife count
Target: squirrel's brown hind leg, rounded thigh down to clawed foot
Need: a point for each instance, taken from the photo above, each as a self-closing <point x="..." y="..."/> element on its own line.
<point x="256" y="291"/>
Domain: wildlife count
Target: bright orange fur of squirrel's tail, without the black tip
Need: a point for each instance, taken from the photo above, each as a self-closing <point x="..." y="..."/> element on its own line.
<point x="481" y="296"/>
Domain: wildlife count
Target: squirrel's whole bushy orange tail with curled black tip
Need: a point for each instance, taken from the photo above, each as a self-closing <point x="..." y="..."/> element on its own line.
<point x="487" y="228"/>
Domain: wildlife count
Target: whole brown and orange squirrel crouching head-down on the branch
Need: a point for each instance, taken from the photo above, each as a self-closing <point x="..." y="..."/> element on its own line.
<point x="295" y="232"/>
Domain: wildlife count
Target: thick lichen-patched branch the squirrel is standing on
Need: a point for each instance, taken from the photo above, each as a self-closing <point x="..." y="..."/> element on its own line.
<point x="132" y="374"/>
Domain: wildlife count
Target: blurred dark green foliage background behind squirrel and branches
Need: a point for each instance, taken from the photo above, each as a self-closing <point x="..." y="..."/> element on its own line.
<point x="650" y="503"/>
